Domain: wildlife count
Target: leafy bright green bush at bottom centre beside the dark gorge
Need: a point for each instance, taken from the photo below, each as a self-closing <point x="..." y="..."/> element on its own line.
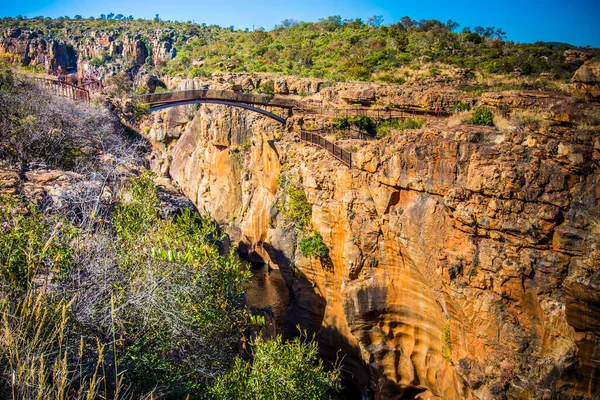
<point x="279" y="370"/>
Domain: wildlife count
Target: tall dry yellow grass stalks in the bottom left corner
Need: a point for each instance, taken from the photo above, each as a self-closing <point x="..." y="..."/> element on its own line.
<point x="37" y="353"/>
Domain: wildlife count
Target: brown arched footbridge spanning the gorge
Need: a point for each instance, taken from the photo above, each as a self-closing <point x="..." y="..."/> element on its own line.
<point x="250" y="101"/>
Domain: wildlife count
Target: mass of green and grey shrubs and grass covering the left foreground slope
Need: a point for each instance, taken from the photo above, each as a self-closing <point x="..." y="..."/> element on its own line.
<point x="103" y="294"/>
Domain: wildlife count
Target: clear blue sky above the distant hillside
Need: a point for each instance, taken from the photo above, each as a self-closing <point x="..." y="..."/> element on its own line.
<point x="575" y="21"/>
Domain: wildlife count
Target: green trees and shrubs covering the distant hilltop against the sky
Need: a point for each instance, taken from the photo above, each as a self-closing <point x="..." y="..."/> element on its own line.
<point x="331" y="48"/>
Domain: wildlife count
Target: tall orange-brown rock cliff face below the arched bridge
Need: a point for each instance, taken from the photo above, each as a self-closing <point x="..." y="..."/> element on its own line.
<point x="457" y="268"/>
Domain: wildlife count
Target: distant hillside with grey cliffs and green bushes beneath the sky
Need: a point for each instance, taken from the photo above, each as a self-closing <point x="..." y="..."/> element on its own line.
<point x="332" y="49"/>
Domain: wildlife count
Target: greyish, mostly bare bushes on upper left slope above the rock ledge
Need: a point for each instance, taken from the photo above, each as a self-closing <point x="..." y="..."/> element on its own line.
<point x="39" y="126"/>
